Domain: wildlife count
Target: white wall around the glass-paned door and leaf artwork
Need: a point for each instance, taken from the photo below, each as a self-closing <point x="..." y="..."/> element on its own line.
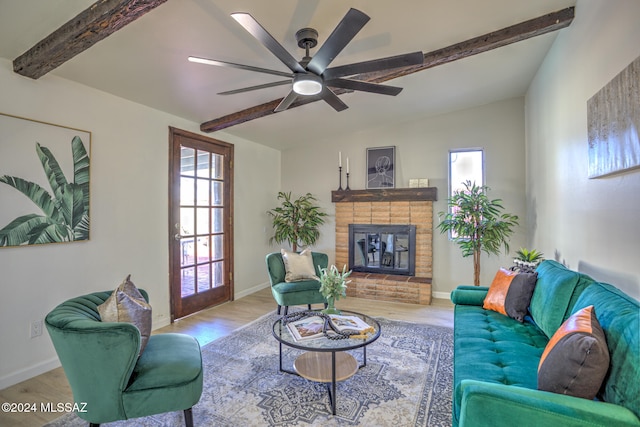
<point x="129" y="214"/>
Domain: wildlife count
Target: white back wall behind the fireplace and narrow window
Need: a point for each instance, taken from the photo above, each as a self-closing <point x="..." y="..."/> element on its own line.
<point x="422" y="148"/>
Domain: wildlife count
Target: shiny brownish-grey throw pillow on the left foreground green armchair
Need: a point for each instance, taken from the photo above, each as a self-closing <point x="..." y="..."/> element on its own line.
<point x="126" y="304"/>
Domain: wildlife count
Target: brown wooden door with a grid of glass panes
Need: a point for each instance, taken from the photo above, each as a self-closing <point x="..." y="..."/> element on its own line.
<point x="201" y="214"/>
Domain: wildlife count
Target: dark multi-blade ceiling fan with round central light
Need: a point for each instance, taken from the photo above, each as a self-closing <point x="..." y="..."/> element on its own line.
<point x="311" y="76"/>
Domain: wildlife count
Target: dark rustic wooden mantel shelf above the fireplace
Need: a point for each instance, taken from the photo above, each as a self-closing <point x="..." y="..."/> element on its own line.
<point x="386" y="195"/>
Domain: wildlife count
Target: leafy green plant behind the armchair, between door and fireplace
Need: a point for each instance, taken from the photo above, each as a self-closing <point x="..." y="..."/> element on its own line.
<point x="296" y="221"/>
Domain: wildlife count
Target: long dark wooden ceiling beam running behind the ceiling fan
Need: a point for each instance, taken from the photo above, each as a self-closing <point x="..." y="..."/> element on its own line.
<point x="515" y="33"/>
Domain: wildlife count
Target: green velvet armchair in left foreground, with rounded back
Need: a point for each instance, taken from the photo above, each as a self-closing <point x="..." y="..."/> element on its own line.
<point x="100" y="360"/>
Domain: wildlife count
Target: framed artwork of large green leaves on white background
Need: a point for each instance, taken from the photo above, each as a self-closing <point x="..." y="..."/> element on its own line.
<point x="44" y="182"/>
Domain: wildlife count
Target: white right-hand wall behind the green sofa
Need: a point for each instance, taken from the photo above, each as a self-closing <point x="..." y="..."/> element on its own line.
<point x="589" y="224"/>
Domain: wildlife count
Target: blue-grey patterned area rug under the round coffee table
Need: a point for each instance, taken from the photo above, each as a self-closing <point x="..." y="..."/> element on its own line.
<point x="407" y="382"/>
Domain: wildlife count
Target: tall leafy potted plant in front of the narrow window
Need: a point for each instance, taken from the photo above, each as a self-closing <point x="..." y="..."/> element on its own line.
<point x="476" y="224"/>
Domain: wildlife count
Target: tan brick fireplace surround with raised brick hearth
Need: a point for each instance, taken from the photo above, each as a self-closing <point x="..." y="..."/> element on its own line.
<point x="388" y="206"/>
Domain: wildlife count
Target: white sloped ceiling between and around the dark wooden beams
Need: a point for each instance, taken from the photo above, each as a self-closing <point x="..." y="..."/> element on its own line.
<point x="146" y="61"/>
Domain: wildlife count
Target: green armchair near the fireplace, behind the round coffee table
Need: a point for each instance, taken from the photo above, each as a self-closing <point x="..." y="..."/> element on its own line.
<point x="288" y="294"/>
